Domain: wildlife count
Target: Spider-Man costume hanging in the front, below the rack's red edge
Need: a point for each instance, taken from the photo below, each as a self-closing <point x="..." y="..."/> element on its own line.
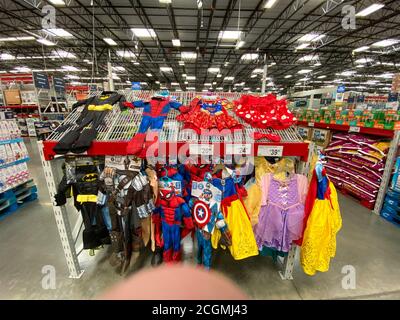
<point x="172" y="210"/>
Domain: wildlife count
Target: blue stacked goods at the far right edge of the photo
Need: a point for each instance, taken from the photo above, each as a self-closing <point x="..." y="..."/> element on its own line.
<point x="391" y="207"/>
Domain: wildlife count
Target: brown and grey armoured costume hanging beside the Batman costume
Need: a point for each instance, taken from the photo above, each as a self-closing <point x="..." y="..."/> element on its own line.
<point x="130" y="201"/>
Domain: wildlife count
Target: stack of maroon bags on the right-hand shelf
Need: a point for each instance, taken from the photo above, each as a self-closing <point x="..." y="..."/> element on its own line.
<point x="356" y="164"/>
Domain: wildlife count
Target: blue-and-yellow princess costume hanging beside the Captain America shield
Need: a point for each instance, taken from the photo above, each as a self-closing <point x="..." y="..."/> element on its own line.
<point x="237" y="219"/>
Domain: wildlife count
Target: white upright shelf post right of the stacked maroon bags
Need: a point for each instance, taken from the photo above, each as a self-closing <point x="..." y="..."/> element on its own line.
<point x="390" y="159"/>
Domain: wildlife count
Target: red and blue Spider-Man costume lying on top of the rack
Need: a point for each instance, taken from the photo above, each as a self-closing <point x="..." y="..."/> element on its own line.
<point x="154" y="113"/>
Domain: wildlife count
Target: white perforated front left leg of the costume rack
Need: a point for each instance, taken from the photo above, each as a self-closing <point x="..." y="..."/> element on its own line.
<point x="60" y="213"/>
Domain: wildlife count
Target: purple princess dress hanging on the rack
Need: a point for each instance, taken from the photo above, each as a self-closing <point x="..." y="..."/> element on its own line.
<point x="282" y="212"/>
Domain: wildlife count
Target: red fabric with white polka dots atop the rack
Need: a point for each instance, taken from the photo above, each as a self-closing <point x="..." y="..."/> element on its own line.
<point x="264" y="112"/>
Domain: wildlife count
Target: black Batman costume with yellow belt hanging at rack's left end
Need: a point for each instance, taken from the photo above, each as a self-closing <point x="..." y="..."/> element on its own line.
<point x="81" y="180"/>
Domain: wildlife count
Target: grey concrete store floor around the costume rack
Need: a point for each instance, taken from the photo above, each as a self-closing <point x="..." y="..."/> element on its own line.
<point x="29" y="240"/>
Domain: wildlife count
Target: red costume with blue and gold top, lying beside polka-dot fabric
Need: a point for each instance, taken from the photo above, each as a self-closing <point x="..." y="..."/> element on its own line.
<point x="207" y="113"/>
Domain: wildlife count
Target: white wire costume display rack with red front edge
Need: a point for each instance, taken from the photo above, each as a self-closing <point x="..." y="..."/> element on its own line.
<point x="119" y="127"/>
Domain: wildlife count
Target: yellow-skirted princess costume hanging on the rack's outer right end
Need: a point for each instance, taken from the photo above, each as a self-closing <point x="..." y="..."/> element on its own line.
<point x="323" y="223"/>
